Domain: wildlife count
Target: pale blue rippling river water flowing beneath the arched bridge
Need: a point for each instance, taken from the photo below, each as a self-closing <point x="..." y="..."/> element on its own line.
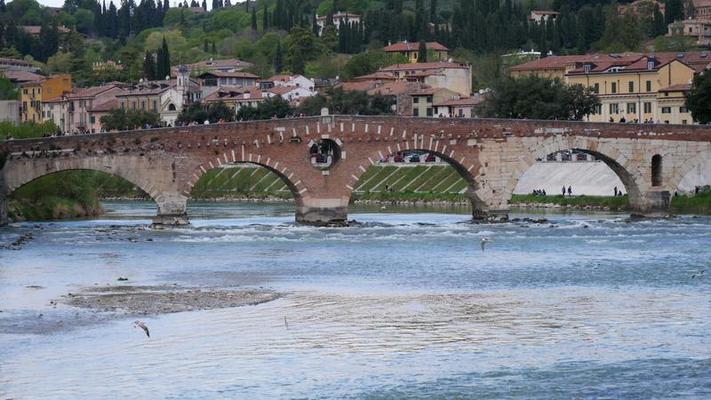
<point x="405" y="305"/>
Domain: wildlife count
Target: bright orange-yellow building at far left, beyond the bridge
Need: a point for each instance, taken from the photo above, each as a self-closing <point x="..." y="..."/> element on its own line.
<point x="33" y="94"/>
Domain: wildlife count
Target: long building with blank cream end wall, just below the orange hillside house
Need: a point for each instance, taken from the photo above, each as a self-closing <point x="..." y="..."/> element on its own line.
<point x="453" y="76"/>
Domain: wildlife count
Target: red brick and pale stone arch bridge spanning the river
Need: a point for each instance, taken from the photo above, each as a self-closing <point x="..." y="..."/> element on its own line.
<point x="491" y="154"/>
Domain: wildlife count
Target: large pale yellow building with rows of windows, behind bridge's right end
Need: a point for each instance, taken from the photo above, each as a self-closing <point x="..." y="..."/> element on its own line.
<point x="636" y="91"/>
